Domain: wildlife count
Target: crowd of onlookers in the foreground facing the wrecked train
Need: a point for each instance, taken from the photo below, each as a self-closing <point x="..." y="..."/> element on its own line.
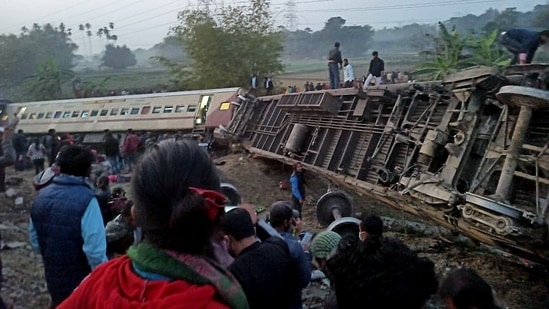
<point x="175" y="246"/>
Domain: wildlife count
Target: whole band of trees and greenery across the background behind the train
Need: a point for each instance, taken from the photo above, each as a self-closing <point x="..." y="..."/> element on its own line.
<point x="213" y="47"/>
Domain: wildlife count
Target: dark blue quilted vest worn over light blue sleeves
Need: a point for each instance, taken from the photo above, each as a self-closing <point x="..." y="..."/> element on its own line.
<point x="57" y="215"/>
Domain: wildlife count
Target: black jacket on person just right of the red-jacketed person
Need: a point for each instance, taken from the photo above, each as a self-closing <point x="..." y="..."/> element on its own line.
<point x="265" y="272"/>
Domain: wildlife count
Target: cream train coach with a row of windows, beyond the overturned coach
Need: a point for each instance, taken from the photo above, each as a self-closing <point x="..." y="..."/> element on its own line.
<point x="186" y="111"/>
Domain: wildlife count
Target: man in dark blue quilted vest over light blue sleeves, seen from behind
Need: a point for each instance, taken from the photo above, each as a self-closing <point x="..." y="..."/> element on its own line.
<point x="66" y="226"/>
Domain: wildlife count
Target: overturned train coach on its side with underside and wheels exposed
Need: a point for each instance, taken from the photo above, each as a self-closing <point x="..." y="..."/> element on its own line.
<point x="469" y="153"/>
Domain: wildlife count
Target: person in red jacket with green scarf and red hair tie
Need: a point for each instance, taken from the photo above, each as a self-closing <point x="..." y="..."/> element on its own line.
<point x="178" y="207"/>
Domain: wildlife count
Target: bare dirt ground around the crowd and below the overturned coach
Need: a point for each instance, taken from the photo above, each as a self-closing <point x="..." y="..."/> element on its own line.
<point x="516" y="286"/>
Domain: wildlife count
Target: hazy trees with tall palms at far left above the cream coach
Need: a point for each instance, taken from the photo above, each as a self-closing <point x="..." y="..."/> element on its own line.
<point x="41" y="57"/>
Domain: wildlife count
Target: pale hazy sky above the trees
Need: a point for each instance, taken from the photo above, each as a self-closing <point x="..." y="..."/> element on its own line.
<point x="143" y="23"/>
